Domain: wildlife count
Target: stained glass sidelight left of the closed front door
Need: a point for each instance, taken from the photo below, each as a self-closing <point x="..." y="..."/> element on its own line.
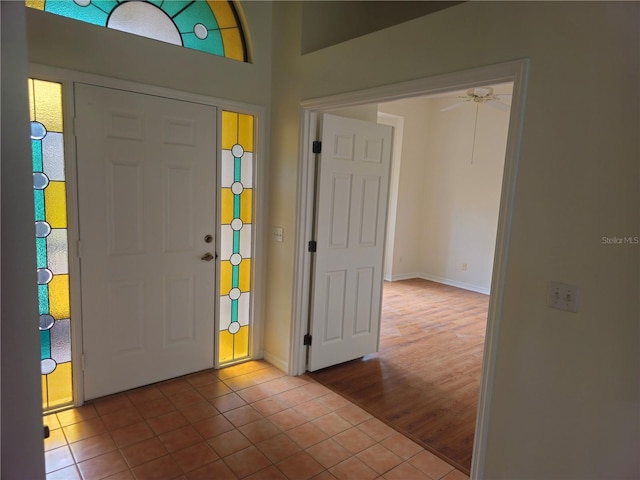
<point x="49" y="189"/>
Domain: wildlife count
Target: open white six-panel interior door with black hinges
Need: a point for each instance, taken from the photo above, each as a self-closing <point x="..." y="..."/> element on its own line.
<point x="352" y="189"/>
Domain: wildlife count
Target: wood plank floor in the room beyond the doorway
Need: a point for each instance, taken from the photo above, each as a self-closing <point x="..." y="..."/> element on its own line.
<point x="425" y="379"/>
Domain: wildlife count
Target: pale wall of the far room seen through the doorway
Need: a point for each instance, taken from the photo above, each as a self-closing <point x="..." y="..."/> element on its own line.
<point x="449" y="196"/>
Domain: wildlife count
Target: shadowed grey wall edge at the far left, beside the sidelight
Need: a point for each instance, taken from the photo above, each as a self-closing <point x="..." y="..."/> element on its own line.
<point x="21" y="398"/>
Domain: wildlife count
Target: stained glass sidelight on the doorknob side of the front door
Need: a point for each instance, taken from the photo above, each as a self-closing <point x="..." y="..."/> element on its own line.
<point x="236" y="214"/>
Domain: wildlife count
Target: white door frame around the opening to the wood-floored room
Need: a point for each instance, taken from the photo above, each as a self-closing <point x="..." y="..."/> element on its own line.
<point x="515" y="71"/>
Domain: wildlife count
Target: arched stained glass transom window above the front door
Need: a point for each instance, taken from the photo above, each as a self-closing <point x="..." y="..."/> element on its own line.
<point x="211" y="26"/>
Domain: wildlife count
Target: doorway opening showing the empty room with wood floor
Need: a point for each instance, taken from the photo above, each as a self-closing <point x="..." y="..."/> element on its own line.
<point x="441" y="226"/>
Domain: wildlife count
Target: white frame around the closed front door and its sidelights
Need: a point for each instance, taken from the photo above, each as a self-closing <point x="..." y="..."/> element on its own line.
<point x="68" y="79"/>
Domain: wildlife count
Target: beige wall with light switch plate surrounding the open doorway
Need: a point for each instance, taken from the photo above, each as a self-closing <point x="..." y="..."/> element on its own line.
<point x="564" y="402"/>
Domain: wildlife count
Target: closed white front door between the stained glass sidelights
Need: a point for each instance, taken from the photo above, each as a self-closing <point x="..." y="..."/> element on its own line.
<point x="147" y="216"/>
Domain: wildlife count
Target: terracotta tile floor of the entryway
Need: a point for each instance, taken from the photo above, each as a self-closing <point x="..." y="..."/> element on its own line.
<point x="249" y="421"/>
